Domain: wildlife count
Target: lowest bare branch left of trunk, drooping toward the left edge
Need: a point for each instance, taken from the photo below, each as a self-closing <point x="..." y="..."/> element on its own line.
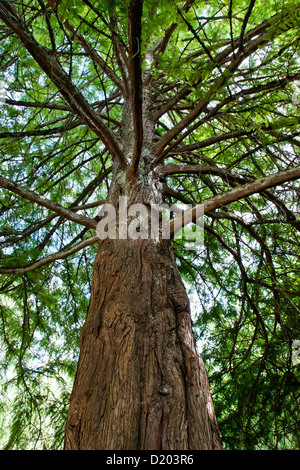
<point x="49" y="259"/>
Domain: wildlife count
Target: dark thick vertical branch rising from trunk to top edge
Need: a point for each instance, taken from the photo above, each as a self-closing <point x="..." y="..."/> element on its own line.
<point x="135" y="35"/>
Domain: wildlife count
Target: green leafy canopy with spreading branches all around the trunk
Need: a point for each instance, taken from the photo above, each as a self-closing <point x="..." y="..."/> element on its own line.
<point x="221" y="83"/>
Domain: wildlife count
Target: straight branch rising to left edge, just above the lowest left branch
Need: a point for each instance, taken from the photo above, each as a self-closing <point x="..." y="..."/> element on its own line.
<point x="44" y="202"/>
